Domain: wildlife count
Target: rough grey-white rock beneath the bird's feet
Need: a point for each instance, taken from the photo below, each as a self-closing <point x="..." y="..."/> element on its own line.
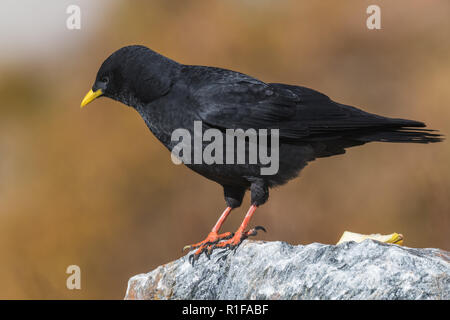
<point x="277" y="270"/>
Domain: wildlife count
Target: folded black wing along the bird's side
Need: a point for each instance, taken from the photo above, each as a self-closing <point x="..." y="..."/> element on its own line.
<point x="235" y="100"/>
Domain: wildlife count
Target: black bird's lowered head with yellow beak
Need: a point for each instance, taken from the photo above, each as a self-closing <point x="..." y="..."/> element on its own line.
<point x="132" y="74"/>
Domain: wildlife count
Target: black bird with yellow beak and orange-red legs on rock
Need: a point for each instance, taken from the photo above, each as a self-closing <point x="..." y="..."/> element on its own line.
<point x="169" y="95"/>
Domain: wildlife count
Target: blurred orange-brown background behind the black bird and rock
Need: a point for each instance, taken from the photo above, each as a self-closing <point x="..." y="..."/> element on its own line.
<point x="94" y="187"/>
